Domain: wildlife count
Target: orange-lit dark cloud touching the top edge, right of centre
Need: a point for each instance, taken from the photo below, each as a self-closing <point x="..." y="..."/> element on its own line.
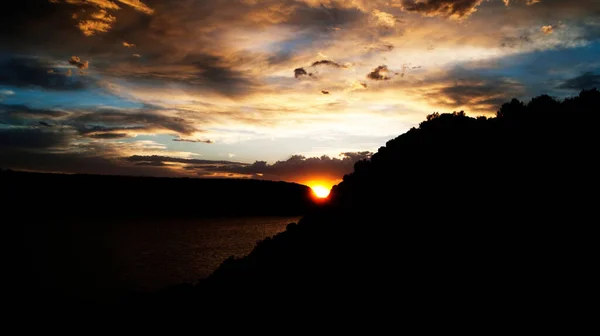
<point x="443" y="8"/>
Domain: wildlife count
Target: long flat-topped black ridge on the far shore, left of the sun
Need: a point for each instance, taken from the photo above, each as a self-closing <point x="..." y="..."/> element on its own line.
<point x="51" y="196"/>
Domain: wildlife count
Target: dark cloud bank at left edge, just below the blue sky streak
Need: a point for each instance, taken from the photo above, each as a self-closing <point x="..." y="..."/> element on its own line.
<point x="31" y="139"/>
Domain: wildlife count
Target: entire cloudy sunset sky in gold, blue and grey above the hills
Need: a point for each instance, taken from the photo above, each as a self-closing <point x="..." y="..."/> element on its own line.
<point x="292" y="90"/>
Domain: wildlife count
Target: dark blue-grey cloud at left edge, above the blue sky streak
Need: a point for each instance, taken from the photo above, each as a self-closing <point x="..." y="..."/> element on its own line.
<point x="32" y="72"/>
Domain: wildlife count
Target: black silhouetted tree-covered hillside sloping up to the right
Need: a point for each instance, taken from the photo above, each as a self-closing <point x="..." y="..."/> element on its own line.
<point x="461" y="216"/>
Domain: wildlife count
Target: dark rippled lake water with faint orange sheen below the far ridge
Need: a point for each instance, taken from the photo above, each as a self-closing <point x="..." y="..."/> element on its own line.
<point x="80" y="257"/>
